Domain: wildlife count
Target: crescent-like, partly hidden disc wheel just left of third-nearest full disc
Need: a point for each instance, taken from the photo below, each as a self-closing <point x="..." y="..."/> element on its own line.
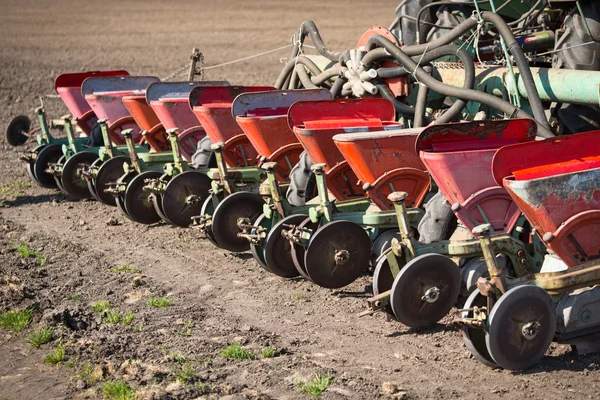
<point x="278" y="250"/>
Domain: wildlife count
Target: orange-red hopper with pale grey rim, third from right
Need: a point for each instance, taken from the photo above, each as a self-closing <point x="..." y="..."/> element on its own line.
<point x="385" y="162"/>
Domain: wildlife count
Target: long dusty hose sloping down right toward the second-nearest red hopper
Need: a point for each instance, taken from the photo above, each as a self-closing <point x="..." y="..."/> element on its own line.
<point x="452" y="91"/>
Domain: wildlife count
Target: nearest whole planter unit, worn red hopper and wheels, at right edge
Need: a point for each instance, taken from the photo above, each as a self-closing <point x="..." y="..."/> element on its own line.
<point x="510" y="322"/>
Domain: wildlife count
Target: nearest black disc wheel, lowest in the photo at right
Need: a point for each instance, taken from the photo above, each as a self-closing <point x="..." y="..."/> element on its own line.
<point x="521" y="327"/>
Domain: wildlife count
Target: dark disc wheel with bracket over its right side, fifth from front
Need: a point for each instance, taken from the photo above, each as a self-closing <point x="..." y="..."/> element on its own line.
<point x="225" y="219"/>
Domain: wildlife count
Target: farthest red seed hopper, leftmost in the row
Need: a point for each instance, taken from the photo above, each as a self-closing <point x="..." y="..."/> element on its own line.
<point x="68" y="87"/>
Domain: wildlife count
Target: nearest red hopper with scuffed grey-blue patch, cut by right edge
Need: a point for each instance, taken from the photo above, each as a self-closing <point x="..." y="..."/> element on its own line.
<point x="556" y="184"/>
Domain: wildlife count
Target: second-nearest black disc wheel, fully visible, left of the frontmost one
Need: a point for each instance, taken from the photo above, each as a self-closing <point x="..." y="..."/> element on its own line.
<point x="425" y="290"/>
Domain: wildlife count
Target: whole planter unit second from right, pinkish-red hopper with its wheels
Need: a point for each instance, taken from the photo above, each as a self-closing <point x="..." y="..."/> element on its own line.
<point x="419" y="283"/>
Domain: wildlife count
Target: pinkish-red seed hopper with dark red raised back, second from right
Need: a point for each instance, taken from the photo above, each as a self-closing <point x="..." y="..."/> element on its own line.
<point x="459" y="159"/>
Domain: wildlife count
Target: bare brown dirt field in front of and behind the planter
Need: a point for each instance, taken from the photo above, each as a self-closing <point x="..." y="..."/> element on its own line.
<point x="217" y="298"/>
